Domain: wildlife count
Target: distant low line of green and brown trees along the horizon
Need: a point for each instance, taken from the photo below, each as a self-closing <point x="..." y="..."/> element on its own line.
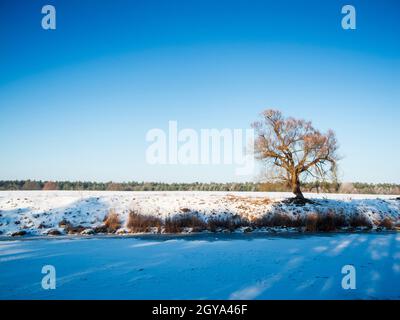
<point x="362" y="188"/>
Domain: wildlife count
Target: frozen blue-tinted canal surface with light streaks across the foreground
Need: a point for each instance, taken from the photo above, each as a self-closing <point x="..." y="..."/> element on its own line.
<point x="209" y="266"/>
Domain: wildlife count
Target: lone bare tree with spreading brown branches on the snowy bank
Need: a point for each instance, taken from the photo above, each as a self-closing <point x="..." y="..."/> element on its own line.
<point x="294" y="150"/>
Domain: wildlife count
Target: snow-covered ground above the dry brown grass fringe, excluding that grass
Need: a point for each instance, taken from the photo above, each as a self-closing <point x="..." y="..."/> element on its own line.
<point x="37" y="212"/>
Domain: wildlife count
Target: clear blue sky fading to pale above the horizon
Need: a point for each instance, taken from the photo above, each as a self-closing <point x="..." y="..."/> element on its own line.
<point x="76" y="102"/>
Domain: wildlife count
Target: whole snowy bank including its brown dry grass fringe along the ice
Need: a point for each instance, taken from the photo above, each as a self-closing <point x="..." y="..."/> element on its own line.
<point x="60" y="212"/>
